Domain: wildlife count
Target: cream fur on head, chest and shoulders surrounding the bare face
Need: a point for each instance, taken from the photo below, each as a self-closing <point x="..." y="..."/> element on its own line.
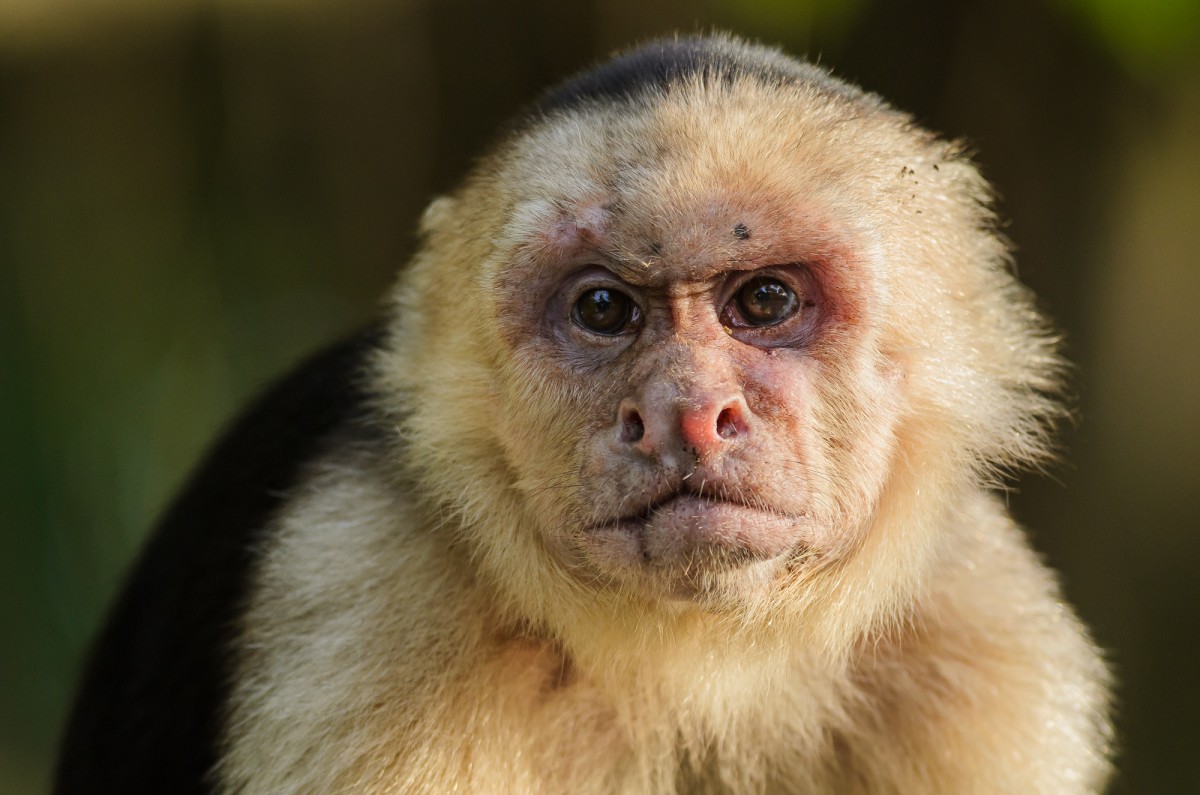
<point x="413" y="631"/>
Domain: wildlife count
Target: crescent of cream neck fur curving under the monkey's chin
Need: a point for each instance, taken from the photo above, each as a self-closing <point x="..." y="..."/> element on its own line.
<point x="674" y="651"/>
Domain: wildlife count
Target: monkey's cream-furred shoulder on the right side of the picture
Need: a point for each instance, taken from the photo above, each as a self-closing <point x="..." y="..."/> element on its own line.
<point x="986" y="676"/>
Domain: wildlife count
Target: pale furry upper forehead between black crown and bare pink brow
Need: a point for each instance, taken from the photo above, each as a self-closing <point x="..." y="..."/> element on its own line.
<point x="700" y="138"/>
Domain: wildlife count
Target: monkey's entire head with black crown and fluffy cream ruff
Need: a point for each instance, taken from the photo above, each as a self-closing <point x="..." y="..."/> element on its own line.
<point x="706" y="330"/>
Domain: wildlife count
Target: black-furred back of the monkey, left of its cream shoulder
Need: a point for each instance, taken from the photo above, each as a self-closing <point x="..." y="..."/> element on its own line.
<point x="149" y="712"/>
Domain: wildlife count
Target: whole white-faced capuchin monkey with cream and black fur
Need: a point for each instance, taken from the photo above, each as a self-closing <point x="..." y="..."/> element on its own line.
<point x="669" y="469"/>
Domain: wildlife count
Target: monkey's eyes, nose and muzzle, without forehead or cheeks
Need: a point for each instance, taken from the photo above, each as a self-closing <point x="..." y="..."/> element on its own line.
<point x="700" y="470"/>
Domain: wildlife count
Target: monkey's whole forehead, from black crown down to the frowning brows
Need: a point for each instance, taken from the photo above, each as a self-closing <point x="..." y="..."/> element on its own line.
<point x="705" y="176"/>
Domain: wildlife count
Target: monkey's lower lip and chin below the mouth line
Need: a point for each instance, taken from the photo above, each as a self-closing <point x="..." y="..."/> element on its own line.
<point x="695" y="548"/>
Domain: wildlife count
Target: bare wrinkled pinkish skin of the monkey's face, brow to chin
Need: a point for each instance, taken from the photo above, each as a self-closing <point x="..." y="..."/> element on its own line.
<point x="700" y="458"/>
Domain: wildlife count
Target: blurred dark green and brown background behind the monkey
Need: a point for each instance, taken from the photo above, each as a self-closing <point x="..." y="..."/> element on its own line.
<point x="195" y="194"/>
